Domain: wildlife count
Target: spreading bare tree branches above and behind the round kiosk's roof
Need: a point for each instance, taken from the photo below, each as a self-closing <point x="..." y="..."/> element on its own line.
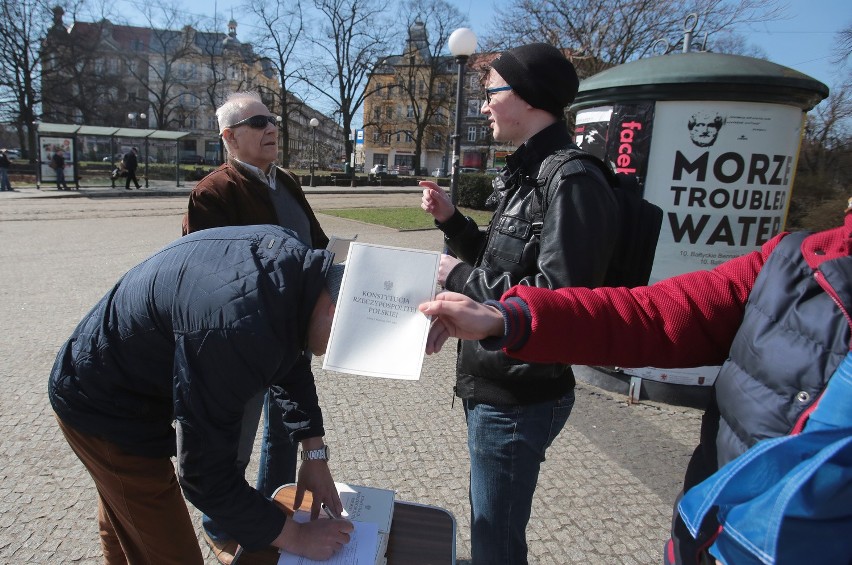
<point x="612" y="32"/>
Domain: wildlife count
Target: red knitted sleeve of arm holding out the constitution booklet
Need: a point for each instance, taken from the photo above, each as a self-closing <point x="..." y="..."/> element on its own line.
<point x="685" y="321"/>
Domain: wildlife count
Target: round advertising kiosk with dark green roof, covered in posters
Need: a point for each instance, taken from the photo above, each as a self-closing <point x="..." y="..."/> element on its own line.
<point x="714" y="140"/>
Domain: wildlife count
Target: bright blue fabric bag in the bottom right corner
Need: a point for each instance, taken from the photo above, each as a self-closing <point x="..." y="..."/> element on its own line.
<point x="787" y="500"/>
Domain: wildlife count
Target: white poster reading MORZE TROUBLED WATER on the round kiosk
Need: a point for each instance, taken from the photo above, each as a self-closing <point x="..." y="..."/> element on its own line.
<point x="721" y="172"/>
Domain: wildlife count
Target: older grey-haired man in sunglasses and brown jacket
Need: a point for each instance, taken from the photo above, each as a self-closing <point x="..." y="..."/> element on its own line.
<point x="250" y="189"/>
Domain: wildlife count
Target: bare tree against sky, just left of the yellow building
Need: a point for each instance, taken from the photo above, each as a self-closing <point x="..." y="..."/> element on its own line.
<point x="352" y="37"/>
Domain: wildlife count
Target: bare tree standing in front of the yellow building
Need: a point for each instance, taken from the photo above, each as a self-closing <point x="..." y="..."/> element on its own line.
<point x="423" y="74"/>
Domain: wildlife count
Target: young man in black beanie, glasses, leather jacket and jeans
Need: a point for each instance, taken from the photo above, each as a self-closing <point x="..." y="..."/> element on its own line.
<point x="514" y="410"/>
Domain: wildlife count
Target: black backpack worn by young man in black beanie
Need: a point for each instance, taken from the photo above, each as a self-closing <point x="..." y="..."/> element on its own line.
<point x="640" y="220"/>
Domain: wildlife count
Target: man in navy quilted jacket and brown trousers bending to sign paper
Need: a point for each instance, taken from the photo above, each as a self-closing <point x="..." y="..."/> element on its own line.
<point x="164" y="364"/>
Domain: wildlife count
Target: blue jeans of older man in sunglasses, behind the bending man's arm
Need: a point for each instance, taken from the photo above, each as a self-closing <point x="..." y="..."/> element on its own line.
<point x="277" y="465"/>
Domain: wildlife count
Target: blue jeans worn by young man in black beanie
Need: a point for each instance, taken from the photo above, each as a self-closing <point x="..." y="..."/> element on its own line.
<point x="507" y="446"/>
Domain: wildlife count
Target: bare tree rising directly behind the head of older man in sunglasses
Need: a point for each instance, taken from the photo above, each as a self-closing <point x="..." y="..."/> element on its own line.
<point x="282" y="26"/>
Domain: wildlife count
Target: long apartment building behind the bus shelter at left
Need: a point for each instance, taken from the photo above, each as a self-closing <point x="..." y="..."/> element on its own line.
<point x="104" y="74"/>
